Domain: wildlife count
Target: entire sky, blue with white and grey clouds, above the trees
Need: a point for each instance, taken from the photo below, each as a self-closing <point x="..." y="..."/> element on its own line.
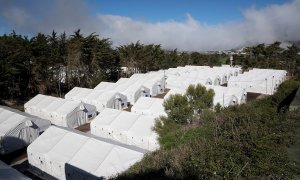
<point x="188" y="25"/>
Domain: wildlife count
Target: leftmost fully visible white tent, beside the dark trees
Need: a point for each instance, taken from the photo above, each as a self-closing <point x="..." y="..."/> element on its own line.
<point x="60" y="111"/>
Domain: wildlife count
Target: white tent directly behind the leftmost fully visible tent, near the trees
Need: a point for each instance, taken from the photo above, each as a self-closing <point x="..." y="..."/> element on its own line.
<point x="99" y="98"/>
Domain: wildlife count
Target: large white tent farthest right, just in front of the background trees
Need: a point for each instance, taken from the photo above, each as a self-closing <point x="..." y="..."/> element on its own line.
<point x="263" y="81"/>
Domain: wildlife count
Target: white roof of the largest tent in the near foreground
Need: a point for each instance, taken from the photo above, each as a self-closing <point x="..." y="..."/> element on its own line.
<point x="85" y="152"/>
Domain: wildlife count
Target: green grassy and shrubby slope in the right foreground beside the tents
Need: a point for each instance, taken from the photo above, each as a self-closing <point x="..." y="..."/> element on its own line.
<point x="246" y="141"/>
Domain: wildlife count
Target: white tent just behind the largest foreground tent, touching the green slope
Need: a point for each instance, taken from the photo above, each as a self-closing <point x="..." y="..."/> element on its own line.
<point x="125" y="127"/>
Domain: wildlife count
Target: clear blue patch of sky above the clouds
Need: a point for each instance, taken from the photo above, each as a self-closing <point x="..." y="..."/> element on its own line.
<point x="211" y="12"/>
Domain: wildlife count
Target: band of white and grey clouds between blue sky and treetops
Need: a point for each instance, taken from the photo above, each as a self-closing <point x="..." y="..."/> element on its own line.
<point x="275" y="22"/>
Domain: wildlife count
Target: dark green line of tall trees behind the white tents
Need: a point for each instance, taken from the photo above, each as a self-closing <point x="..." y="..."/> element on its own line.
<point x="53" y="64"/>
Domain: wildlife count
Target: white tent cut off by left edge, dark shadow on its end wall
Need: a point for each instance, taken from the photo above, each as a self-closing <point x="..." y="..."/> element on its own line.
<point x="18" y="130"/>
